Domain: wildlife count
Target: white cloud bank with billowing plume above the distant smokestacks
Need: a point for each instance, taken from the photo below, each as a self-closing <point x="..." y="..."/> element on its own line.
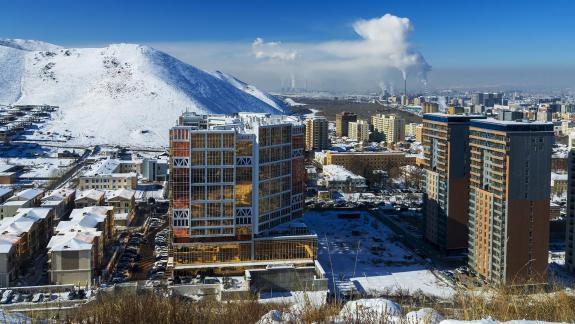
<point x="381" y="53"/>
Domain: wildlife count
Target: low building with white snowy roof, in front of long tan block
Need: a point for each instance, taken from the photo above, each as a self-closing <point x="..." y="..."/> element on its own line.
<point x="338" y="178"/>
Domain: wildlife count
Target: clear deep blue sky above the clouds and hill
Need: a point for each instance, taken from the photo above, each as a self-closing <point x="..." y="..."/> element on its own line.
<point x="450" y="34"/>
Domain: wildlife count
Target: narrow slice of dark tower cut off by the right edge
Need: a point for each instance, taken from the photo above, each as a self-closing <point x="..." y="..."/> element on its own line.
<point x="570" y="221"/>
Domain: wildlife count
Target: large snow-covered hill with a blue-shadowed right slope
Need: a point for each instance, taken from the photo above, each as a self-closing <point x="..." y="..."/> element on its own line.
<point x="120" y="94"/>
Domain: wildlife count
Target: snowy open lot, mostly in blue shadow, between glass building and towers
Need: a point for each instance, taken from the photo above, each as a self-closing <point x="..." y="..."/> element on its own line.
<point x="369" y="254"/>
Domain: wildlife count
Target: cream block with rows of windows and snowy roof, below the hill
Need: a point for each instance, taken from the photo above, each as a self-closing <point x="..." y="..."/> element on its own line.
<point x="109" y="175"/>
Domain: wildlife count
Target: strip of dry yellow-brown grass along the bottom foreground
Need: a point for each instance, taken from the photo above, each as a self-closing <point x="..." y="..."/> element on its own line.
<point x="502" y="305"/>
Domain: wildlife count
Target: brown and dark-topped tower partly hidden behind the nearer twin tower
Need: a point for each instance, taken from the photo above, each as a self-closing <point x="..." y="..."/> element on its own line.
<point x="445" y="140"/>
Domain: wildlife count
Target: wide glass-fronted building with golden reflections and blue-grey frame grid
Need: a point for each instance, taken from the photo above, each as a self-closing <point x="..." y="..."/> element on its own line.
<point x="234" y="180"/>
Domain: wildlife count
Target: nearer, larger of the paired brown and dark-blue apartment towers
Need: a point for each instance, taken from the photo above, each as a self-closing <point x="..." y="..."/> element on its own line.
<point x="509" y="200"/>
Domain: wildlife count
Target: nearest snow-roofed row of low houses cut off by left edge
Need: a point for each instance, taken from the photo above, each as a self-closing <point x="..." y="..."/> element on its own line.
<point x="22" y="237"/>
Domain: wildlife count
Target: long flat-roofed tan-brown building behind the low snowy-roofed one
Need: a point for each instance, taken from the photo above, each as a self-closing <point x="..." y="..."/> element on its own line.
<point x="364" y="163"/>
